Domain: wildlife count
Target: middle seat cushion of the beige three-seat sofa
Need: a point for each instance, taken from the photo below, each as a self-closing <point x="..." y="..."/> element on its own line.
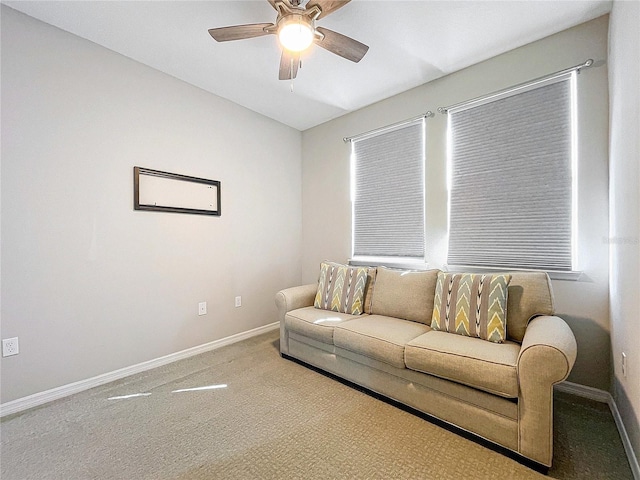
<point x="378" y="337"/>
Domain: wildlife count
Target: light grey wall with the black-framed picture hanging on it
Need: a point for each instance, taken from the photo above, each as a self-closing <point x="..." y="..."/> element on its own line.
<point x="88" y="284"/>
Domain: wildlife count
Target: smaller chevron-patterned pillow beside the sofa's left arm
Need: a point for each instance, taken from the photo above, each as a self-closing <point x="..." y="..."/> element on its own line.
<point x="341" y="288"/>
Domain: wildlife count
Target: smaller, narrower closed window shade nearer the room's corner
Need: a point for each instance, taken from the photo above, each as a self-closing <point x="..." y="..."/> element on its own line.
<point x="388" y="208"/>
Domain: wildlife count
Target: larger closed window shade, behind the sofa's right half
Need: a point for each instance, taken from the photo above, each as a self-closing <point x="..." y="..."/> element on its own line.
<point x="511" y="181"/>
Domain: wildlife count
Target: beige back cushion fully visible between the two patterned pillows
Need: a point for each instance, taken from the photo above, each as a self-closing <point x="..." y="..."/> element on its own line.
<point x="404" y="294"/>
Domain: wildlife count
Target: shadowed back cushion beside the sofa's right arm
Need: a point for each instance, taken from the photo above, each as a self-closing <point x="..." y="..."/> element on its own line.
<point x="530" y="295"/>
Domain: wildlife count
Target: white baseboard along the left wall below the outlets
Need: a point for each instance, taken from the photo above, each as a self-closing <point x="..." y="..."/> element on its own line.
<point x="41" y="398"/>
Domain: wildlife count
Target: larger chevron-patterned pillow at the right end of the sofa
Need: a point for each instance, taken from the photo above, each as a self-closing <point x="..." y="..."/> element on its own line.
<point x="474" y="305"/>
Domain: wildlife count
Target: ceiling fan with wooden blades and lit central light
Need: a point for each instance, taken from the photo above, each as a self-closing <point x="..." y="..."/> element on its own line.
<point x="296" y="30"/>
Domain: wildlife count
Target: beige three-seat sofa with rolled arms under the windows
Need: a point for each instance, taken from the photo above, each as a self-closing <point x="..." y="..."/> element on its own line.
<point x="500" y="390"/>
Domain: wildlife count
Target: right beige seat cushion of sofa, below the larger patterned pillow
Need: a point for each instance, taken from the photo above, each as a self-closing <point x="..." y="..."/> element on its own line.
<point x="484" y="365"/>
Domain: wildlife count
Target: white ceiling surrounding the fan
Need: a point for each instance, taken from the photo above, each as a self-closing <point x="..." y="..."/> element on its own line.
<point x="411" y="43"/>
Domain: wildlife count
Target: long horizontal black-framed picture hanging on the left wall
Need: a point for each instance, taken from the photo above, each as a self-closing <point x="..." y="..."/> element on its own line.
<point x="157" y="191"/>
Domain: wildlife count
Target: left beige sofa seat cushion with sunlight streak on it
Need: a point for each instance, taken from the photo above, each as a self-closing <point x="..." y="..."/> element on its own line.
<point x="316" y="323"/>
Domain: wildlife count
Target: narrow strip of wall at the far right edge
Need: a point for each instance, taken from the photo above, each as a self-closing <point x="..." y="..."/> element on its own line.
<point x="624" y="84"/>
